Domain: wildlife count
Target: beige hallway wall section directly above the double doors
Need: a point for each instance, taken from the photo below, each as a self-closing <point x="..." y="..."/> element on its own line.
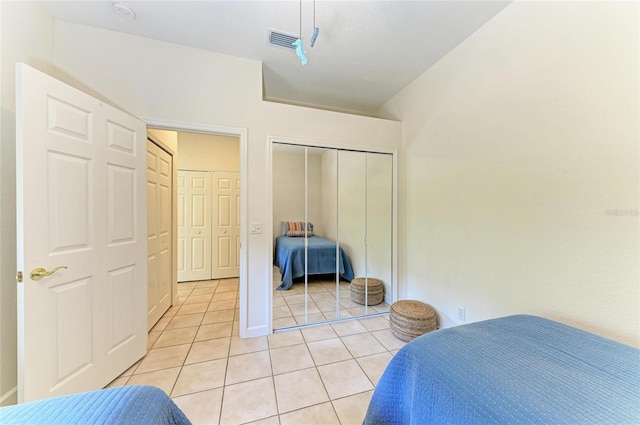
<point x="208" y="152"/>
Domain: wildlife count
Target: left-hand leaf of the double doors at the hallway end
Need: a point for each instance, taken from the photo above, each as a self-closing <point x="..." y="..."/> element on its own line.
<point x="194" y="225"/>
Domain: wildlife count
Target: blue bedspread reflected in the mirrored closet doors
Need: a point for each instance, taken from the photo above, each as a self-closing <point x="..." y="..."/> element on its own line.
<point x="289" y="257"/>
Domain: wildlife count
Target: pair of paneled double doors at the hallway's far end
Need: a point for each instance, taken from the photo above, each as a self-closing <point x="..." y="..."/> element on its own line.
<point x="208" y="225"/>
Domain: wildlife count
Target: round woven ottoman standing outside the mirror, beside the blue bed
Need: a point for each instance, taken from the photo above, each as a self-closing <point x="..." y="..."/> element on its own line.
<point x="409" y="319"/>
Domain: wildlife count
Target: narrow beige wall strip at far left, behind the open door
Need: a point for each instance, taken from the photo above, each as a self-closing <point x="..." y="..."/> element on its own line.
<point x="26" y="36"/>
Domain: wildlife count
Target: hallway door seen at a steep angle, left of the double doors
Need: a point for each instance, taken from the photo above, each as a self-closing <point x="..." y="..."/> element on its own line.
<point x="159" y="241"/>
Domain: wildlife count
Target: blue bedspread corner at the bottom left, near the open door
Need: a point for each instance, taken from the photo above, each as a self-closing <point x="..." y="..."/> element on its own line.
<point x="131" y="405"/>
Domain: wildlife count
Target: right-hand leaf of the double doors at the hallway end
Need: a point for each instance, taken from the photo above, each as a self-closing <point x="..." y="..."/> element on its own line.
<point x="226" y="225"/>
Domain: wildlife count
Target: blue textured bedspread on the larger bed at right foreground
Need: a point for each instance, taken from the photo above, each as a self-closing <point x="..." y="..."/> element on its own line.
<point x="518" y="369"/>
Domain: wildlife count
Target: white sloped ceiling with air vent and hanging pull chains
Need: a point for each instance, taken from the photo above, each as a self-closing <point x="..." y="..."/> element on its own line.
<point x="366" y="51"/>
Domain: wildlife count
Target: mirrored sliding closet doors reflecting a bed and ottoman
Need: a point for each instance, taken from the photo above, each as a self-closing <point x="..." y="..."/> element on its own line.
<point x="333" y="234"/>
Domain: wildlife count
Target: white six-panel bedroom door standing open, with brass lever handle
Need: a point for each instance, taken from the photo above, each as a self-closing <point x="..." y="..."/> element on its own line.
<point x="81" y="211"/>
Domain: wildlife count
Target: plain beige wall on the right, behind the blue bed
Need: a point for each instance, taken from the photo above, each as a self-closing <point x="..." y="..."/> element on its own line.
<point x="520" y="170"/>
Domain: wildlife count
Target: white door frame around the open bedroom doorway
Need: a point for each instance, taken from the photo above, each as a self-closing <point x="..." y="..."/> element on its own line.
<point x="241" y="134"/>
